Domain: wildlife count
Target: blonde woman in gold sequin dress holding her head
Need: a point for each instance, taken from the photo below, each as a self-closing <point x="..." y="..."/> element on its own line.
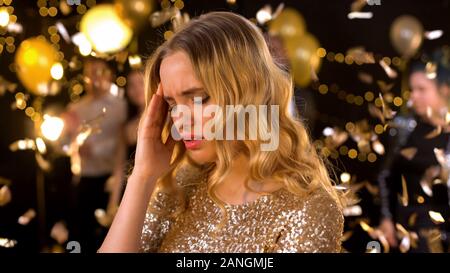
<point x="213" y="195"/>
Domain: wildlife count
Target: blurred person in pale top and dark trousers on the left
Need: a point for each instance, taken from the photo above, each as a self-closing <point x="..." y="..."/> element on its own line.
<point x="101" y="156"/>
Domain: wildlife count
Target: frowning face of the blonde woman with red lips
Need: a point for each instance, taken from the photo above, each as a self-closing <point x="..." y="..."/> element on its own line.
<point x="180" y="86"/>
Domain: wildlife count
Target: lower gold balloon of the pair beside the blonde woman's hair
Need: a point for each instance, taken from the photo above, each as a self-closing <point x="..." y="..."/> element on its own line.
<point x="303" y="58"/>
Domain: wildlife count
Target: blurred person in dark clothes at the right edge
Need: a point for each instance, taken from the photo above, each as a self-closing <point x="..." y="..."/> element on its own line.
<point x="416" y="202"/>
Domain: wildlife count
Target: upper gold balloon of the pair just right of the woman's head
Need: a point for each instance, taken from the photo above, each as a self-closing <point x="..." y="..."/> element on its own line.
<point x="289" y="23"/>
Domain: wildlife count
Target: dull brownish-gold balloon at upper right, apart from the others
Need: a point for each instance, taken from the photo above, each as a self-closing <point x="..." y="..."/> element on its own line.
<point x="406" y="35"/>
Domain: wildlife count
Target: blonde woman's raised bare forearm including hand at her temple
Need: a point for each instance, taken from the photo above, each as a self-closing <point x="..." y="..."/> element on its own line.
<point x="151" y="161"/>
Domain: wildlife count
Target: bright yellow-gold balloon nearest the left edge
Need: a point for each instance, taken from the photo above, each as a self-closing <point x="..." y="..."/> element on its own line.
<point x="34" y="59"/>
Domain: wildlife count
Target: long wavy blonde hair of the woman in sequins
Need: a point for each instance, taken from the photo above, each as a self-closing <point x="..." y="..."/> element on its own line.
<point x="231" y="59"/>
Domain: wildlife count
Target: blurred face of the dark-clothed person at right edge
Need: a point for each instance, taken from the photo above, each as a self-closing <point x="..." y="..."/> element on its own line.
<point x="424" y="94"/>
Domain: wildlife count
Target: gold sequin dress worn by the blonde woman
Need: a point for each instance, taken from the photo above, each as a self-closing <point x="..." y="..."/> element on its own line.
<point x="279" y="222"/>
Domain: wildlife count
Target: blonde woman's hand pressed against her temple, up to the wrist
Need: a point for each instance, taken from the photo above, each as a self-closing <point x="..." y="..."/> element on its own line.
<point x="152" y="157"/>
